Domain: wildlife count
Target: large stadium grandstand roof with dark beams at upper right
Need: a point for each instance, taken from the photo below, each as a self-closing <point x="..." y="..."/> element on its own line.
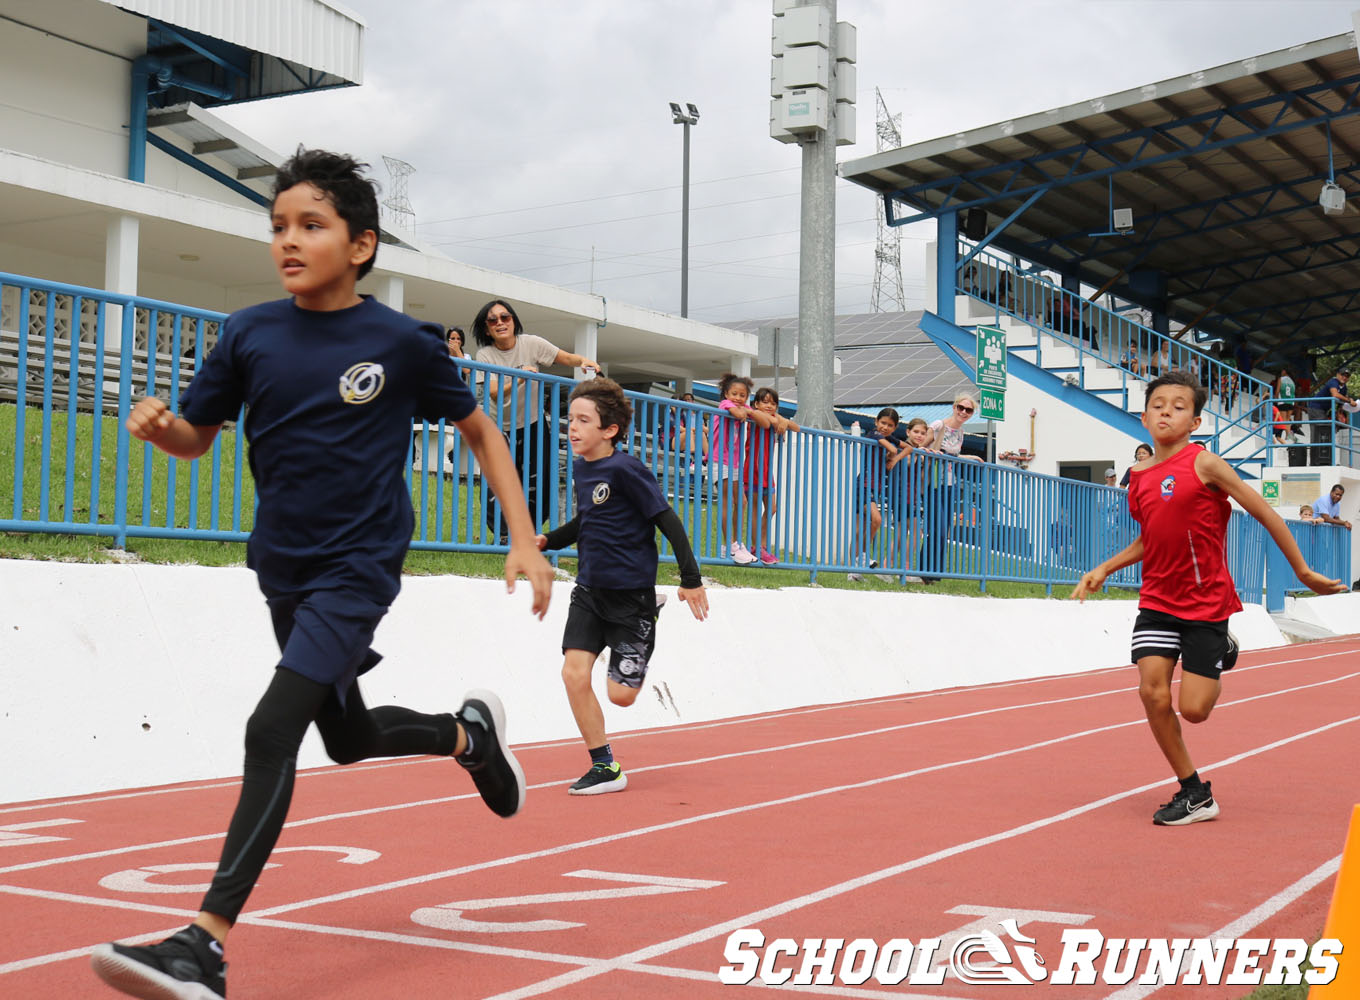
<point x="1223" y="172"/>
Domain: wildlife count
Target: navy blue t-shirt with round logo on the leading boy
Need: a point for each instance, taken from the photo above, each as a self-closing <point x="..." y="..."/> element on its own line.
<point x="330" y="401"/>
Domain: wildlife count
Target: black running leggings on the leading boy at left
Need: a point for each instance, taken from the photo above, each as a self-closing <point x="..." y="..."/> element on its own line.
<point x="274" y="735"/>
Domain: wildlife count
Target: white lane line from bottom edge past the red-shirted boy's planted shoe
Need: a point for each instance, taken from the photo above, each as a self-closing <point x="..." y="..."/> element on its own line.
<point x="757" y="918"/>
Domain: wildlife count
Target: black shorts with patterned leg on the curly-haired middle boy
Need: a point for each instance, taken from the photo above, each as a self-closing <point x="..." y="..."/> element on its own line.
<point x="626" y="621"/>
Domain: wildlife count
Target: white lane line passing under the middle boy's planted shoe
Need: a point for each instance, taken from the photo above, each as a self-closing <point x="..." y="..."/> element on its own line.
<point x="803" y="745"/>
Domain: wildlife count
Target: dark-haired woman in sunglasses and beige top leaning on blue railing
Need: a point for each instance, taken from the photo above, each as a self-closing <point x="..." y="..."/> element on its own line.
<point x="501" y="341"/>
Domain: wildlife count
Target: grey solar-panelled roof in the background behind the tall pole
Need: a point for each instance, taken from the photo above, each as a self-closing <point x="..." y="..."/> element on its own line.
<point x="886" y="361"/>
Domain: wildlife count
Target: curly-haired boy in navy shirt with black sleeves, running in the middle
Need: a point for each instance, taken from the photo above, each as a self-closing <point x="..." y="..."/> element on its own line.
<point x="619" y="508"/>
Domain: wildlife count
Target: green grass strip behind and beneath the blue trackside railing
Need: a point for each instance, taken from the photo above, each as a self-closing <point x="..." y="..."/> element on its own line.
<point x="71" y="473"/>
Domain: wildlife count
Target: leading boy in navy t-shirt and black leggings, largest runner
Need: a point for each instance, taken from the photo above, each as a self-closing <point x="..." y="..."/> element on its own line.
<point x="331" y="383"/>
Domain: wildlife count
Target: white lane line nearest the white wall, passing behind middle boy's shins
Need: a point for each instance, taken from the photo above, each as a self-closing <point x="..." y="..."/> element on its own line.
<point x="697" y="727"/>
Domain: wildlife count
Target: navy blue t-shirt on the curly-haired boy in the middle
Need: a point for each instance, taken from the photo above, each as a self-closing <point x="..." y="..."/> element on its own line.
<point x="617" y="500"/>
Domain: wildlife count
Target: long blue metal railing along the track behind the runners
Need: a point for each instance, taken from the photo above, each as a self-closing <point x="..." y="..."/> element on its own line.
<point x="814" y="501"/>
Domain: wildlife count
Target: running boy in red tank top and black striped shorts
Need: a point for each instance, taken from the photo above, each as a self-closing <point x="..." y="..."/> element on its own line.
<point x="1180" y="497"/>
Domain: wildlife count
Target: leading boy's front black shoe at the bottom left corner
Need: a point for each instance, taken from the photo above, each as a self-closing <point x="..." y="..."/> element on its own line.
<point x="186" y="967"/>
